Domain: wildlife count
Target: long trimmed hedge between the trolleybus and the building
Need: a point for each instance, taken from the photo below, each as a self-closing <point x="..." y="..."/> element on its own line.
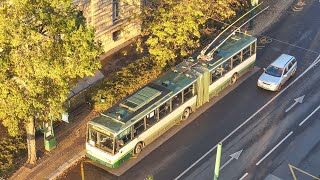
<point x="122" y="83"/>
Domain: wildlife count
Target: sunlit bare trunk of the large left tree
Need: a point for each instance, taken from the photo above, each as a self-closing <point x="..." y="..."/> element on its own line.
<point x="31" y="142"/>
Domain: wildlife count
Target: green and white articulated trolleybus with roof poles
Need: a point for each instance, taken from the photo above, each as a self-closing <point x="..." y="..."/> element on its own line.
<point x="126" y="128"/>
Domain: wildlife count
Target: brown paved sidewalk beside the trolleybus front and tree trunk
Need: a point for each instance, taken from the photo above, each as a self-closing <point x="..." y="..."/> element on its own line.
<point x="70" y="148"/>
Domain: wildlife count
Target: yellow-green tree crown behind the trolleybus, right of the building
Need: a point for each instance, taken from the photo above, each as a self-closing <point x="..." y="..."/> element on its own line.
<point x="172" y="27"/>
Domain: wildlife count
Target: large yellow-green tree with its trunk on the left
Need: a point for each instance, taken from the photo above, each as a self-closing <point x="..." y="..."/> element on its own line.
<point x="45" y="48"/>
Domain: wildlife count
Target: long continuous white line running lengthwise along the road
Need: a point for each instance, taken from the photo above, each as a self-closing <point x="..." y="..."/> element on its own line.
<point x="202" y="157"/>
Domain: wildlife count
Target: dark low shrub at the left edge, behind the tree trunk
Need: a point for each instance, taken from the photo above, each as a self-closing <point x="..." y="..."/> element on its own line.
<point x="11" y="149"/>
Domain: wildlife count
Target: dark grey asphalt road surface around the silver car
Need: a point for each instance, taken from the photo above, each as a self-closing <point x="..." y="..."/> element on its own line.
<point x="298" y="34"/>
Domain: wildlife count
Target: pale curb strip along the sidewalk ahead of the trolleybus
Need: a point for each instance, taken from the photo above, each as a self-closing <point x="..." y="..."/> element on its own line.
<point x="66" y="165"/>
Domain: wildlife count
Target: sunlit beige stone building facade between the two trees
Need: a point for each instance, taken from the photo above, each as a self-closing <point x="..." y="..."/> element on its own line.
<point x="115" y="21"/>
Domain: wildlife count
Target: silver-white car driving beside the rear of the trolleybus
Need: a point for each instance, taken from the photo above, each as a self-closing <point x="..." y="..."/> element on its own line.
<point x="278" y="72"/>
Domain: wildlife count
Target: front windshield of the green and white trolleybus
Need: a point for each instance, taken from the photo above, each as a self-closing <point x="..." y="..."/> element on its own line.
<point x="100" y="140"/>
